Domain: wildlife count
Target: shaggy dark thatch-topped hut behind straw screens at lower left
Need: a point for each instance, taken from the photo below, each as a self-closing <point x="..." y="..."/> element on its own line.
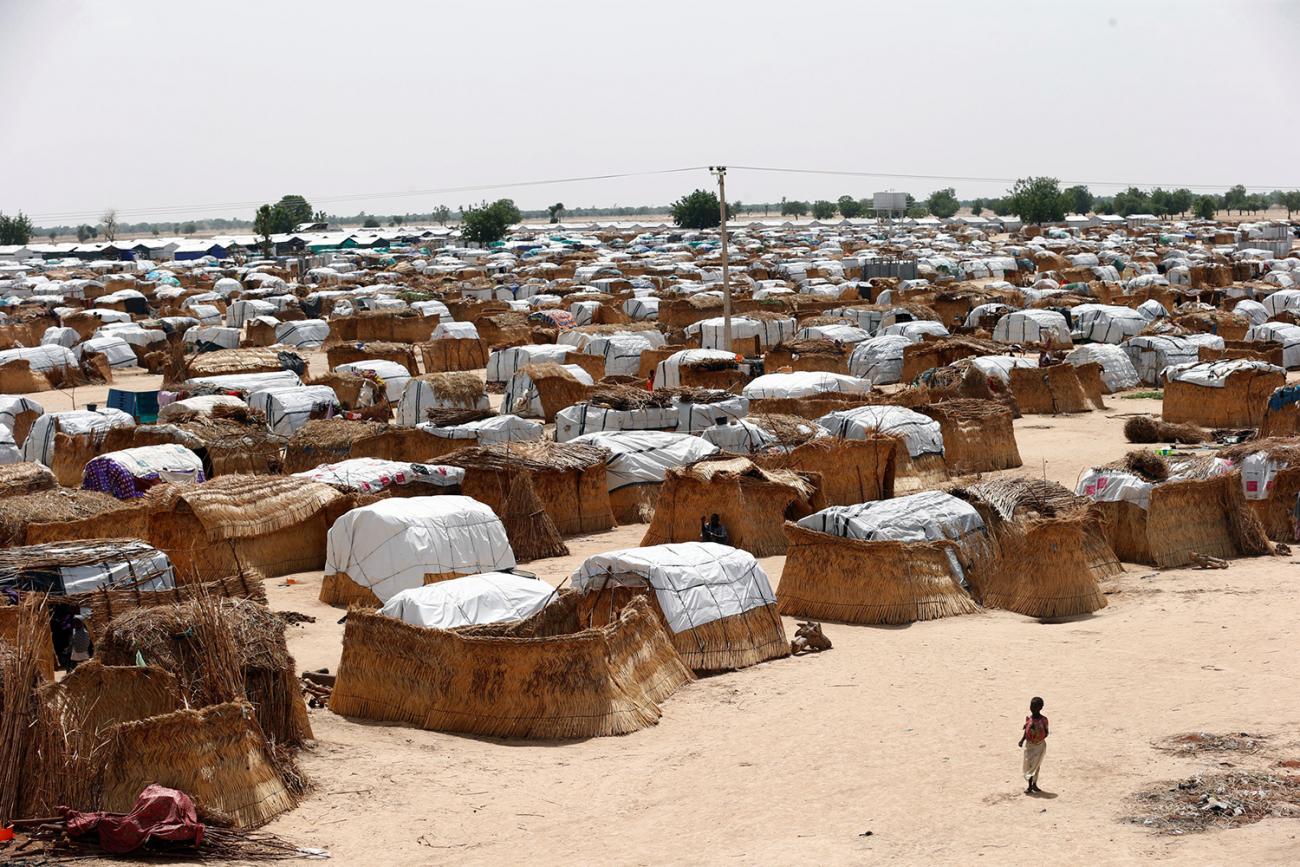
<point x="179" y="639"/>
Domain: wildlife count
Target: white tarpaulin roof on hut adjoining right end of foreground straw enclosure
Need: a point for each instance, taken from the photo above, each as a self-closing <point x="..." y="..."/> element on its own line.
<point x="695" y="583"/>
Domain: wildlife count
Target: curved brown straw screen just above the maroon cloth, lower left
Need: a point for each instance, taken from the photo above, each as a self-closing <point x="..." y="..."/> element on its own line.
<point x="216" y="756"/>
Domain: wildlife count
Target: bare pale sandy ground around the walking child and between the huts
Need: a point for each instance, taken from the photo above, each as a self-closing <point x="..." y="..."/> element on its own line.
<point x="908" y="734"/>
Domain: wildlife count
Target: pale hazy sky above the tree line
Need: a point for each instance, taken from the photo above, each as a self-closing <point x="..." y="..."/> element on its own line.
<point x="188" y="109"/>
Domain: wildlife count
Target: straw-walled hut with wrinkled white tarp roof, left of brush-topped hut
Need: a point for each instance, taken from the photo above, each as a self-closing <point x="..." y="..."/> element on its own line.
<point x="891" y="562"/>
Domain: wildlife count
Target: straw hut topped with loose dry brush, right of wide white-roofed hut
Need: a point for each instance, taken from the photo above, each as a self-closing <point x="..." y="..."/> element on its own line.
<point x="1051" y="549"/>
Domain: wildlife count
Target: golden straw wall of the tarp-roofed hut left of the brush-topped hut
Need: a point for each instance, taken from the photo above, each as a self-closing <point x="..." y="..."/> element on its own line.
<point x="830" y="578"/>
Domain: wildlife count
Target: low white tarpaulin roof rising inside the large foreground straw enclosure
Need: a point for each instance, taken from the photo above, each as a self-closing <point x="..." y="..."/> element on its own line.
<point x="471" y="601"/>
